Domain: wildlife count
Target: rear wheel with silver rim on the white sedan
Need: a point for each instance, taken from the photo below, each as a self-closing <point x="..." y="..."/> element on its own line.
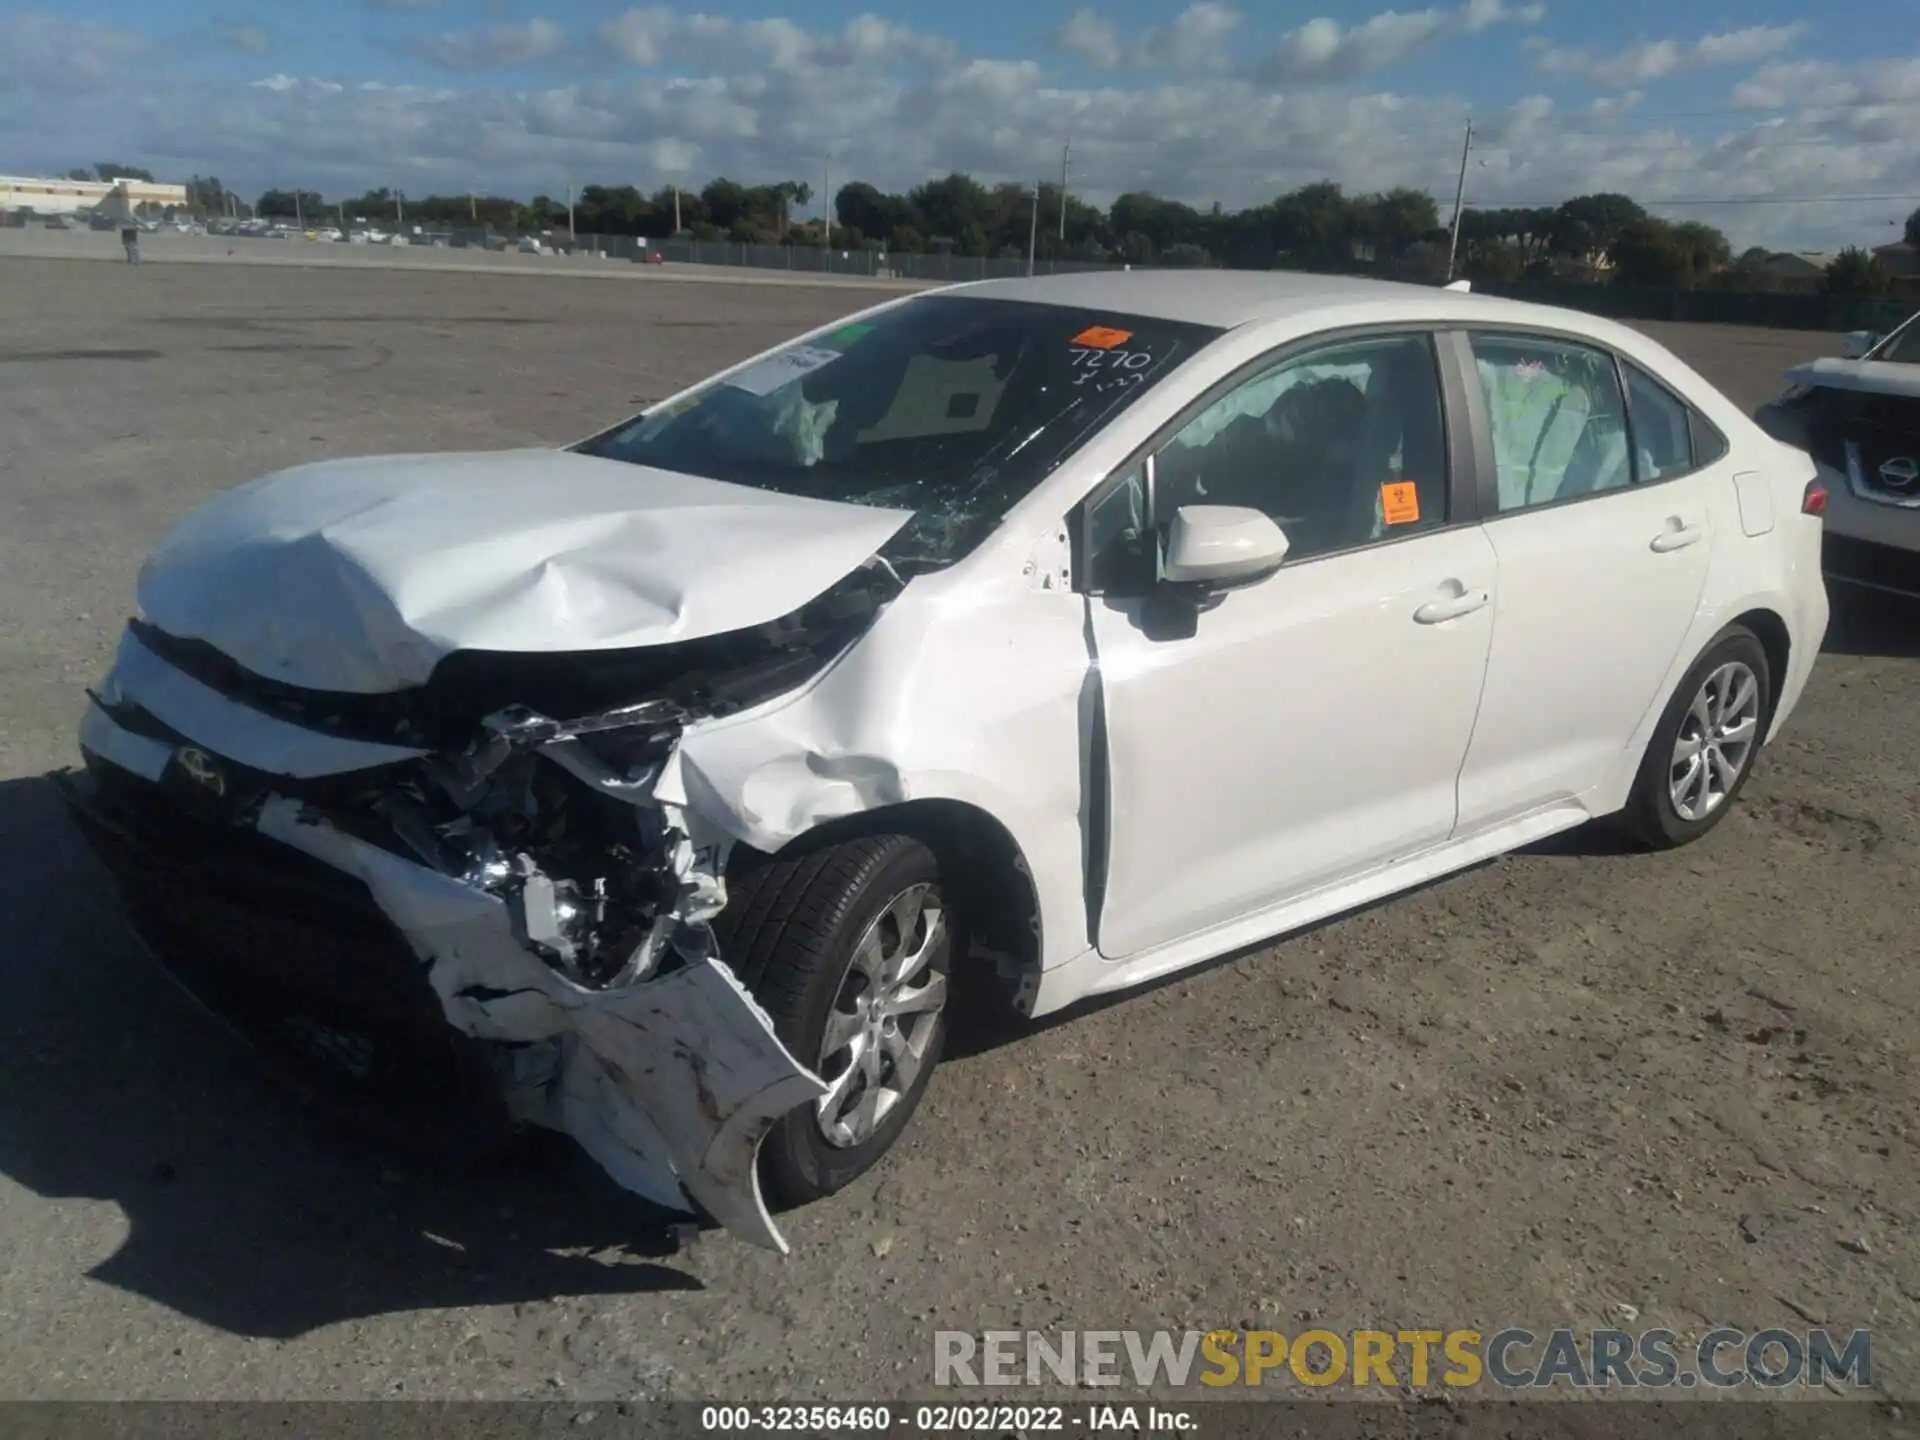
<point x="1706" y="744"/>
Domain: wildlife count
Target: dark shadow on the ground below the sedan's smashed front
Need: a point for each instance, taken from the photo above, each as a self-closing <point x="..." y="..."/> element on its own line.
<point x="241" y="1212"/>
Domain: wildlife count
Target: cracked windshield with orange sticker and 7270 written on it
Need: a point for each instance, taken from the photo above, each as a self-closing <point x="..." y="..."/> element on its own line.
<point x="951" y="408"/>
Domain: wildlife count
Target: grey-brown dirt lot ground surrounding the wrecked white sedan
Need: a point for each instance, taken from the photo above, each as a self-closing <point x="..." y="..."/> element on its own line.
<point x="1572" y="1088"/>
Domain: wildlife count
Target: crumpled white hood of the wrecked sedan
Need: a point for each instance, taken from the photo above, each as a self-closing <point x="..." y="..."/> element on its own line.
<point x="362" y="575"/>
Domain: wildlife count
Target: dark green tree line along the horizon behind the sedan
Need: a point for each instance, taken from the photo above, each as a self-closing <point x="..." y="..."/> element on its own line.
<point x="1393" y="233"/>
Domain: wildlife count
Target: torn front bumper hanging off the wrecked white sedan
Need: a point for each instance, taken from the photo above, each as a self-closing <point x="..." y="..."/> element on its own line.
<point x="406" y="992"/>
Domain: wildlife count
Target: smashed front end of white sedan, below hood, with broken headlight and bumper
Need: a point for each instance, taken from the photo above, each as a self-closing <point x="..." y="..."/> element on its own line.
<point x="546" y="876"/>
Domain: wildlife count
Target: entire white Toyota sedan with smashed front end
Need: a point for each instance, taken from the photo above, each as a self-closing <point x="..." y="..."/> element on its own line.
<point x="1034" y="638"/>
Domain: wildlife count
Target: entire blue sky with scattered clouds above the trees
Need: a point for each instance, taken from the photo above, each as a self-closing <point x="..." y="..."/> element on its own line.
<point x="1212" y="101"/>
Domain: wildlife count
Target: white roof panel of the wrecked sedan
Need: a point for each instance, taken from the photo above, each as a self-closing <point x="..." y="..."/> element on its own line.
<point x="1236" y="299"/>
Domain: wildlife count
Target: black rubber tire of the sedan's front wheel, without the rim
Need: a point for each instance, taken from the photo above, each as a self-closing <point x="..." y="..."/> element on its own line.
<point x="790" y="934"/>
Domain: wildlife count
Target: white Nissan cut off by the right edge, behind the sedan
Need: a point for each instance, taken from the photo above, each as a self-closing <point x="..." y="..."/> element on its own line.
<point x="1860" y="418"/>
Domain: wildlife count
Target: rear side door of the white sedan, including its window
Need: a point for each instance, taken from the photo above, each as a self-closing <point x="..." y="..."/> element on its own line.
<point x="1604" y="535"/>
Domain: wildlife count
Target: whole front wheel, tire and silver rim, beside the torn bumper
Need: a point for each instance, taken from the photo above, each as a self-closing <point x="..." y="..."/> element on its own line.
<point x="850" y="949"/>
